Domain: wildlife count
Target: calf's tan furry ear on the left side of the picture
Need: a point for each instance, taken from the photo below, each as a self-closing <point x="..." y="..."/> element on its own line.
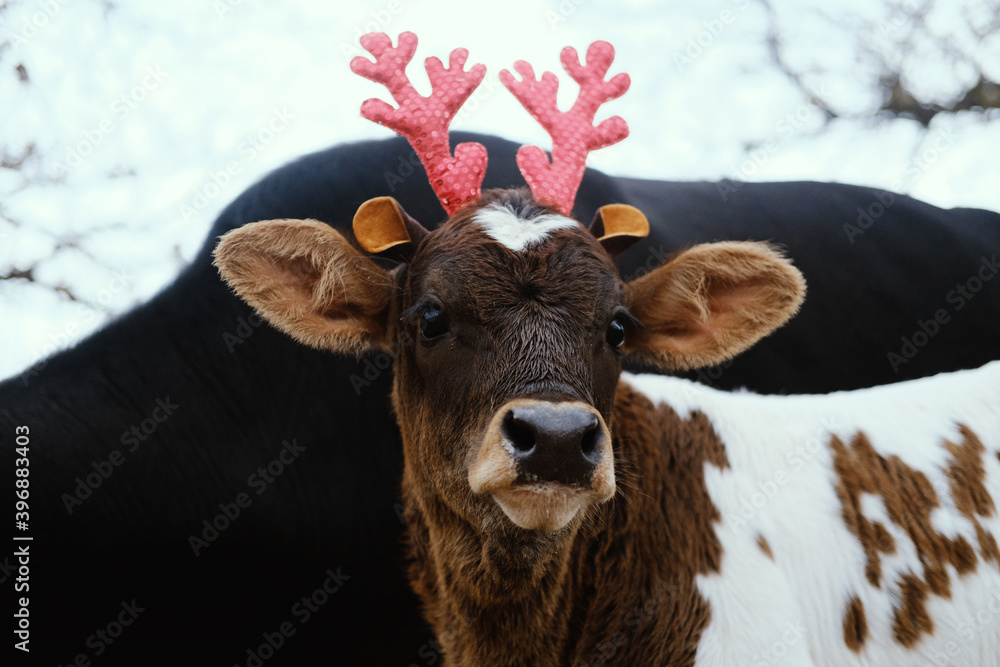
<point x="307" y="280"/>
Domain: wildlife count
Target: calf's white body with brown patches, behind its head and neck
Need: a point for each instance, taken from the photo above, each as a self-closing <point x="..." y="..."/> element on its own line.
<point x="857" y="528"/>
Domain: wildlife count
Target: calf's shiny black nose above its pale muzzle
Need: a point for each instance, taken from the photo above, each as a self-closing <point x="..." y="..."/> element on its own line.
<point x="554" y="442"/>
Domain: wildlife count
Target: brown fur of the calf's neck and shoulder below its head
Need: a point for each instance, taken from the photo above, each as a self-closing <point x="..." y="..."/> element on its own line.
<point x="619" y="586"/>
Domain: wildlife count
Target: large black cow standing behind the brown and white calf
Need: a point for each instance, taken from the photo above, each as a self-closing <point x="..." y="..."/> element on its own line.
<point x="188" y="410"/>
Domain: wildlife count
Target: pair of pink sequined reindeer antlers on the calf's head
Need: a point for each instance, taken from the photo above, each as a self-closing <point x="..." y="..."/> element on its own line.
<point x="424" y="121"/>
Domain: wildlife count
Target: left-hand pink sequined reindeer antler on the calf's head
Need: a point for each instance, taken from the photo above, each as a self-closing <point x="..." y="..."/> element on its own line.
<point x="424" y="120"/>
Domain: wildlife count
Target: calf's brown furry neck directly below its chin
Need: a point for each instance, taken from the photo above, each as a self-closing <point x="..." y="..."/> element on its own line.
<point x="483" y="585"/>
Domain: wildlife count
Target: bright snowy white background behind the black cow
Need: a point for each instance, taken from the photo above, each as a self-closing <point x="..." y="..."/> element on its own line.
<point x="148" y="118"/>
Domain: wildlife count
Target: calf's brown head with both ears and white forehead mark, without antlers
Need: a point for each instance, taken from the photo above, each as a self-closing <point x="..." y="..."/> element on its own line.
<point x="508" y="325"/>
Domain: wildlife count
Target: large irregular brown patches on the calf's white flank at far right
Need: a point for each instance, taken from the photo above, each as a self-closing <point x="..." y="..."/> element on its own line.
<point x="909" y="500"/>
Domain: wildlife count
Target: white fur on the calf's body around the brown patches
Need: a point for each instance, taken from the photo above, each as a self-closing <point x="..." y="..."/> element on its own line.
<point x="780" y="485"/>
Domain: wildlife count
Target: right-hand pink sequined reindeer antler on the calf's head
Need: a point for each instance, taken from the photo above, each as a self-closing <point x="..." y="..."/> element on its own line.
<point x="573" y="133"/>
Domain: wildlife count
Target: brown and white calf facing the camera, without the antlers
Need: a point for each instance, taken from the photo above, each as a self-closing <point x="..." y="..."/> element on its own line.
<point x="560" y="513"/>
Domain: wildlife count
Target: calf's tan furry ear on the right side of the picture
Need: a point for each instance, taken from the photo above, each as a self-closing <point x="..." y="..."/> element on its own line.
<point x="711" y="302"/>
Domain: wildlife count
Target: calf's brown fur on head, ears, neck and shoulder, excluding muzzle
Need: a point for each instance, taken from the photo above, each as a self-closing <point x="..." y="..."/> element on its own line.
<point x="534" y="324"/>
